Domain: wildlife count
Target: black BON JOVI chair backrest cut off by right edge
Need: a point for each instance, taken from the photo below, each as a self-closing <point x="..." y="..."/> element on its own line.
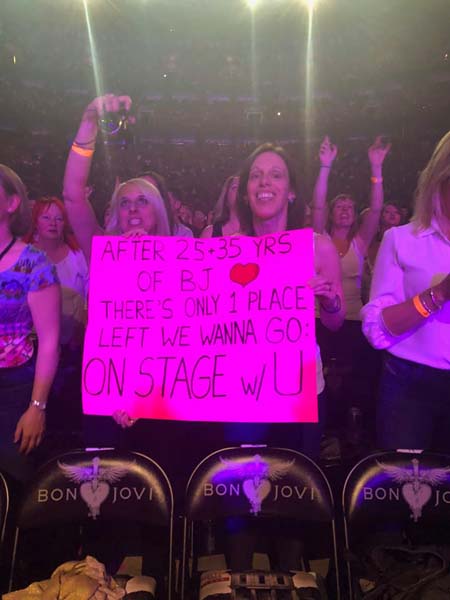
<point x="395" y="492"/>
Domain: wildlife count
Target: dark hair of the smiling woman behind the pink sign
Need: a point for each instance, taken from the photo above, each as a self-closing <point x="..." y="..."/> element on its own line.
<point x="296" y="210"/>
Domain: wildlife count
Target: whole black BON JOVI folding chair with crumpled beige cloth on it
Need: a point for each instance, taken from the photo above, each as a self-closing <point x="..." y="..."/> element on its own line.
<point x="101" y="494"/>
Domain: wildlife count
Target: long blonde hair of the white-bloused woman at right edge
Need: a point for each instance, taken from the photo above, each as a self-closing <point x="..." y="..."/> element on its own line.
<point x="429" y="187"/>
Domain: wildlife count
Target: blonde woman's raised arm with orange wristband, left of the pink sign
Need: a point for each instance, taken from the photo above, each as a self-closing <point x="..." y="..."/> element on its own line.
<point x="80" y="212"/>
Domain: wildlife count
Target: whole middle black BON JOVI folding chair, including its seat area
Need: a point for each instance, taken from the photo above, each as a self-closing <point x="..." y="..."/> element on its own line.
<point x="259" y="486"/>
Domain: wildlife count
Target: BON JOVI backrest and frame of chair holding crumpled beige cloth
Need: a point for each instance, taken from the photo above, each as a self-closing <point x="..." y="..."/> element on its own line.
<point x="109" y="485"/>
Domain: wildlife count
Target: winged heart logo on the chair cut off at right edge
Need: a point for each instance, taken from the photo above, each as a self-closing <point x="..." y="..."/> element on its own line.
<point x="417" y="483"/>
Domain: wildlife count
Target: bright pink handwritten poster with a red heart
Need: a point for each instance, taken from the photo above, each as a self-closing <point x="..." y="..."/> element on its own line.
<point x="202" y="330"/>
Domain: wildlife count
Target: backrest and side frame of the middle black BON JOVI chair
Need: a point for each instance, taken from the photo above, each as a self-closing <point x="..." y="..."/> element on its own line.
<point x="258" y="481"/>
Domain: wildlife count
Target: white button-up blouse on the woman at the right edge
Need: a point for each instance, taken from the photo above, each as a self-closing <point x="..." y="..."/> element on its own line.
<point x="409" y="262"/>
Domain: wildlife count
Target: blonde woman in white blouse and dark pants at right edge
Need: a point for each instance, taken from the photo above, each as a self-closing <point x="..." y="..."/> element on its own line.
<point x="409" y="315"/>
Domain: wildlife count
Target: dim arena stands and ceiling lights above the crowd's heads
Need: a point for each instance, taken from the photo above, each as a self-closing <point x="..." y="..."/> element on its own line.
<point x="211" y="79"/>
